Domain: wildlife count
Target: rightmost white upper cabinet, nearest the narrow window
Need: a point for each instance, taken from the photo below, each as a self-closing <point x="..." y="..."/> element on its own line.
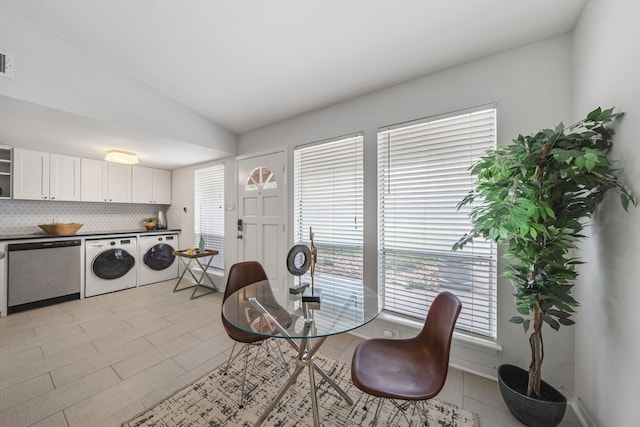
<point x="150" y="185"/>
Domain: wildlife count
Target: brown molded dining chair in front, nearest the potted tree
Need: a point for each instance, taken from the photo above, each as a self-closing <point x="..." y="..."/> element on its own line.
<point x="412" y="370"/>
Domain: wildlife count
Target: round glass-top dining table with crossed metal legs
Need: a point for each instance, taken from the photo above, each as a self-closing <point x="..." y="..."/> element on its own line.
<point x="277" y="308"/>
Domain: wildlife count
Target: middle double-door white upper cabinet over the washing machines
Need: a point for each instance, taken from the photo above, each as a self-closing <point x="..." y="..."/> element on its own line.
<point x="105" y="182"/>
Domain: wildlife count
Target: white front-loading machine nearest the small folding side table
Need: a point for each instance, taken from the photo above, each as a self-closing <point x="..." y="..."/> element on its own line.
<point x="157" y="262"/>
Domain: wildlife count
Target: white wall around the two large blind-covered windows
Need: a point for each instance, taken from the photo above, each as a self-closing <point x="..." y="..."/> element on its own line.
<point x="531" y="87"/>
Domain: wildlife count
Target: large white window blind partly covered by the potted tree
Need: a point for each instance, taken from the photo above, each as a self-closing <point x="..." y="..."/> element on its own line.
<point x="423" y="172"/>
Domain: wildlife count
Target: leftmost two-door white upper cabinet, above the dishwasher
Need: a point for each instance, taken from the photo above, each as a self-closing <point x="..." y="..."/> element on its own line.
<point x="45" y="176"/>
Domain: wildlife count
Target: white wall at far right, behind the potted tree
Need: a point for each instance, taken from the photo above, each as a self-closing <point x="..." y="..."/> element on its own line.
<point x="606" y="64"/>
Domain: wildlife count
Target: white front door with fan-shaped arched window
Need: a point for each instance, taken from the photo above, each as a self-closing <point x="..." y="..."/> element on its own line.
<point x="262" y="211"/>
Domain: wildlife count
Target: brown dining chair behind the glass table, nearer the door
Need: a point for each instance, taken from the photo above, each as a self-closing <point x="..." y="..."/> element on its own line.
<point x="241" y="275"/>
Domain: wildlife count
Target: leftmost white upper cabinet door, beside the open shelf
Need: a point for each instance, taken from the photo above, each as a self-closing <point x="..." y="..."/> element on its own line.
<point x="31" y="174"/>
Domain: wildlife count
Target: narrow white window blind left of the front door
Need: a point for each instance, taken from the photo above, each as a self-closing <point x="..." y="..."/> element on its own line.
<point x="209" y="210"/>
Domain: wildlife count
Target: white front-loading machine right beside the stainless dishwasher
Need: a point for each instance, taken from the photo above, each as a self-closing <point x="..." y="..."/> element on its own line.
<point x="110" y="265"/>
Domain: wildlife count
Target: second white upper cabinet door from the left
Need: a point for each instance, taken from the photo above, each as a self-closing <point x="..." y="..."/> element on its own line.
<point x="64" y="177"/>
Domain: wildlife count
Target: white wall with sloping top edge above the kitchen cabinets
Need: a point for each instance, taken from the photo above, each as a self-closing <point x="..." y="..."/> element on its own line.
<point x="54" y="74"/>
